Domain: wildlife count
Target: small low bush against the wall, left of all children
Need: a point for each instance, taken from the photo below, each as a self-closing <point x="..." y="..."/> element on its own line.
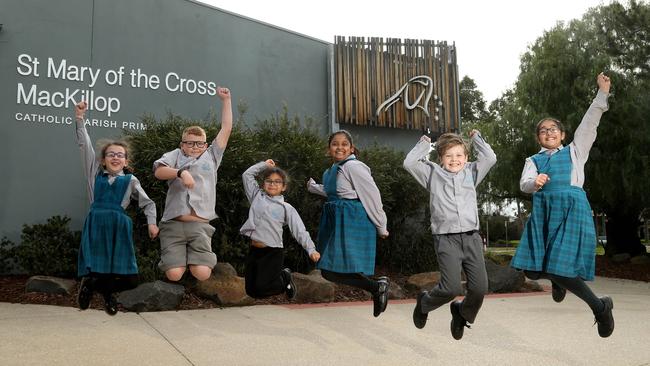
<point x="46" y="249"/>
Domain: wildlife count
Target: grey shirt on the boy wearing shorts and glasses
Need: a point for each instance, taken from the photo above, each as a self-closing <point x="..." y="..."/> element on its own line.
<point x="202" y="198"/>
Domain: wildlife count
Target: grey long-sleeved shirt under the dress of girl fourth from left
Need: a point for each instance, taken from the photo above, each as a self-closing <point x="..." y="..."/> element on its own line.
<point x="354" y="181"/>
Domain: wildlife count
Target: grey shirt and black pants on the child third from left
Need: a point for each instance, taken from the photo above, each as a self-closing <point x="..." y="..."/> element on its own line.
<point x="266" y="219"/>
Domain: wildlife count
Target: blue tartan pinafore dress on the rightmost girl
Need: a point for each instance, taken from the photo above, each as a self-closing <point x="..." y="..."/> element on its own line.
<point x="559" y="237"/>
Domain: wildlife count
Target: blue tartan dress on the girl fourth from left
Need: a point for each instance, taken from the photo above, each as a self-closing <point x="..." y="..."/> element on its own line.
<point x="347" y="238"/>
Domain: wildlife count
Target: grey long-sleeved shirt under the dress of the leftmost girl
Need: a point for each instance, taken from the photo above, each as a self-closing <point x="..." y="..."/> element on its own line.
<point x="92" y="166"/>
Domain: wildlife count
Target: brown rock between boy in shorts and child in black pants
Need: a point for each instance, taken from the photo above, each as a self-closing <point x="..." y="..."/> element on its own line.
<point x="224" y="287"/>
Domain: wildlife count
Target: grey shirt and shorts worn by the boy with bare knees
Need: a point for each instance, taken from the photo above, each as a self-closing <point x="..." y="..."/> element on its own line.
<point x="184" y="243"/>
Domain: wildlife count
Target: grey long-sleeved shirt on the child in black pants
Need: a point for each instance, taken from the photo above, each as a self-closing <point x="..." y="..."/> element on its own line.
<point x="268" y="215"/>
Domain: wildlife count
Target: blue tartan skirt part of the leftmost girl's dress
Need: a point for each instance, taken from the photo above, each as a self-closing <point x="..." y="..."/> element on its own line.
<point x="107" y="242"/>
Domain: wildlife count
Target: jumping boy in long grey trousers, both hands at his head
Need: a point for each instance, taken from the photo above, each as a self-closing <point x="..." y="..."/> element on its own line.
<point x="454" y="224"/>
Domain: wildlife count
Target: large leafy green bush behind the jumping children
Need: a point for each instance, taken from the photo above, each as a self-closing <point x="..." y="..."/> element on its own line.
<point x="299" y="149"/>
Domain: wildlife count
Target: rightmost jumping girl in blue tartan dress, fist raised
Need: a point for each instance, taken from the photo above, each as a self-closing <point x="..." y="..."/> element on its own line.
<point x="559" y="239"/>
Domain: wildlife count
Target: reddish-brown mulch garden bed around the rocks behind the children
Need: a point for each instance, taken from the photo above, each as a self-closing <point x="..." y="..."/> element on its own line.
<point x="12" y="289"/>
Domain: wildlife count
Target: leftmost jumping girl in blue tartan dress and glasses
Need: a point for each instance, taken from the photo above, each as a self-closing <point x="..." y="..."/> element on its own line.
<point x="106" y="262"/>
